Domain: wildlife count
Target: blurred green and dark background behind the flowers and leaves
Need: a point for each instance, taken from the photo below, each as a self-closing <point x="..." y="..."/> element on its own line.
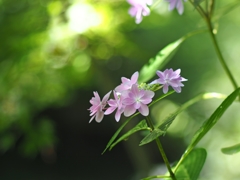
<point x="54" y="54"/>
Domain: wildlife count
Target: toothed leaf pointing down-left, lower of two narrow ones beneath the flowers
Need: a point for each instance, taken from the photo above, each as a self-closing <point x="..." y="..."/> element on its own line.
<point x="139" y="127"/>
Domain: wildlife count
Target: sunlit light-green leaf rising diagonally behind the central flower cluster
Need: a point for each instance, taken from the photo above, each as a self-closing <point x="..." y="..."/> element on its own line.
<point x="163" y="56"/>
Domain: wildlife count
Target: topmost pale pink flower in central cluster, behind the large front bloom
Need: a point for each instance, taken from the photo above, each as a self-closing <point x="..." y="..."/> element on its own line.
<point x="127" y="83"/>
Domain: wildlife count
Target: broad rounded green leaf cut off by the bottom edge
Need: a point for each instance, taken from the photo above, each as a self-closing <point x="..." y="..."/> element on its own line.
<point x="192" y="165"/>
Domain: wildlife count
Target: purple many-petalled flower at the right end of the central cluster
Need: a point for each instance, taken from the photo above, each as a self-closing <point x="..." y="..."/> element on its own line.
<point x="170" y="78"/>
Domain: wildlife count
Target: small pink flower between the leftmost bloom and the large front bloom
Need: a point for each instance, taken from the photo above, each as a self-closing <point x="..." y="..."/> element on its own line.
<point x="115" y="104"/>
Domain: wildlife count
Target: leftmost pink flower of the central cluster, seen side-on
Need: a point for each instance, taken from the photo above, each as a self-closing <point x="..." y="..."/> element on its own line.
<point x="96" y="110"/>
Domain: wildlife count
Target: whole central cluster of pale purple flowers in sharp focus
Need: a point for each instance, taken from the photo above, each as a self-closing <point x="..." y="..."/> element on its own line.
<point x="130" y="97"/>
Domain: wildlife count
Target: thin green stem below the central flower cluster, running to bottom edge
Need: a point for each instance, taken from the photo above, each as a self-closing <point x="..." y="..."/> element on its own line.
<point x="162" y="151"/>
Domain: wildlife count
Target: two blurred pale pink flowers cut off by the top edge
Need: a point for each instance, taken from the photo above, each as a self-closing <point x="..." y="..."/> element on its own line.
<point x="139" y="8"/>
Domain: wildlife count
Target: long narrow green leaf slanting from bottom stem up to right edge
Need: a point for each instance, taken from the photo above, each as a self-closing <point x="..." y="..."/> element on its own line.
<point x="209" y="123"/>
